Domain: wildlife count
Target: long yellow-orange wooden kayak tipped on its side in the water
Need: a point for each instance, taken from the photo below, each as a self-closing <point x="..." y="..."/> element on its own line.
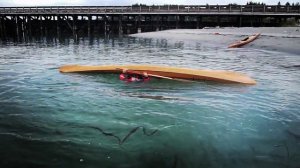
<point x="167" y="71"/>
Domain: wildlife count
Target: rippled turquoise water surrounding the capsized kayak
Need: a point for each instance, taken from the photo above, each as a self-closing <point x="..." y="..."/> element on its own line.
<point x="50" y="119"/>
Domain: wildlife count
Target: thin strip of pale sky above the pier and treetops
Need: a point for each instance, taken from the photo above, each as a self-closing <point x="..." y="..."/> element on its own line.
<point x="130" y="2"/>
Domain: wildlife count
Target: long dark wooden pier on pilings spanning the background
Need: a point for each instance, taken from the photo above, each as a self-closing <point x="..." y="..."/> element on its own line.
<point x="59" y="21"/>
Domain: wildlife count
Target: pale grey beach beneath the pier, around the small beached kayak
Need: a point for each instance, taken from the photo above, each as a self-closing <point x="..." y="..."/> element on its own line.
<point x="285" y="39"/>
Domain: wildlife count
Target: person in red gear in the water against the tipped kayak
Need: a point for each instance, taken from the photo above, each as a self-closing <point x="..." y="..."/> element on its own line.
<point x="133" y="77"/>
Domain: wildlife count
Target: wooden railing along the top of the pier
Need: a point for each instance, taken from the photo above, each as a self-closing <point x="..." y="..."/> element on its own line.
<point x="221" y="9"/>
